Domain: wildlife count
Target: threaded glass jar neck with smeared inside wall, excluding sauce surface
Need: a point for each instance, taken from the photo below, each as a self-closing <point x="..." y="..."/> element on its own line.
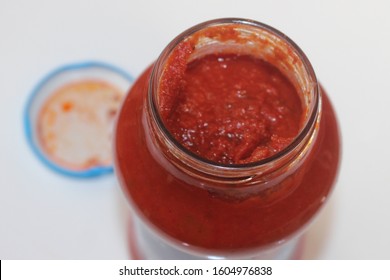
<point x="237" y="36"/>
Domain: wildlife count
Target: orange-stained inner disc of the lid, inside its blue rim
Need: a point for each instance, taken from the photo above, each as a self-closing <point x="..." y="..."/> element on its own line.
<point x="75" y="124"/>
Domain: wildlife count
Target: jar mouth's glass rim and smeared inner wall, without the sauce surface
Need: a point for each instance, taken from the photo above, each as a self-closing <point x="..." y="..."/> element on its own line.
<point x="255" y="39"/>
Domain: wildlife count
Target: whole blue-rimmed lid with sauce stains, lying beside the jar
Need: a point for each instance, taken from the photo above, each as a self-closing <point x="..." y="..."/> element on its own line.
<point x="69" y="117"/>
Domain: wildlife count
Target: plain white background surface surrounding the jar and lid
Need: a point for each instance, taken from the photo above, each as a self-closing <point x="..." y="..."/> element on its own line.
<point x="44" y="215"/>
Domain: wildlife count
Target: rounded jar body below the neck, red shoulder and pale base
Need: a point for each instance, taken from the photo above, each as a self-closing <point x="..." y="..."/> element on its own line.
<point x="186" y="219"/>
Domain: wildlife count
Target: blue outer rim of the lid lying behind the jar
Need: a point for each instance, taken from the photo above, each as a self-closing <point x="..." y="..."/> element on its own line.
<point x="28" y="126"/>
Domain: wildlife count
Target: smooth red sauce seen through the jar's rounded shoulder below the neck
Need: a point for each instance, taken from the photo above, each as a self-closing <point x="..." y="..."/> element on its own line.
<point x="194" y="216"/>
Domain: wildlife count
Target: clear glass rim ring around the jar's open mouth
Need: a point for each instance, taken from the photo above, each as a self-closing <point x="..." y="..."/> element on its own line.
<point x="307" y="126"/>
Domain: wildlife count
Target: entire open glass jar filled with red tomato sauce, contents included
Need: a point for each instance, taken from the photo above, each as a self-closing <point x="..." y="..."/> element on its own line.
<point x="226" y="147"/>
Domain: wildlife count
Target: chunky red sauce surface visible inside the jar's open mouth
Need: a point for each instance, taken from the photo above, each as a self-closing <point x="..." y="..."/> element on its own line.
<point x="232" y="109"/>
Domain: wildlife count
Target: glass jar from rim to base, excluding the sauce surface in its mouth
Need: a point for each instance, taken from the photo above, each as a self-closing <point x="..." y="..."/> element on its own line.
<point x="186" y="206"/>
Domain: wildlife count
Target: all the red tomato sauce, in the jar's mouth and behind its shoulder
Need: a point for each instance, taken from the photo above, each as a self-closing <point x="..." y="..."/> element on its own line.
<point x="228" y="109"/>
